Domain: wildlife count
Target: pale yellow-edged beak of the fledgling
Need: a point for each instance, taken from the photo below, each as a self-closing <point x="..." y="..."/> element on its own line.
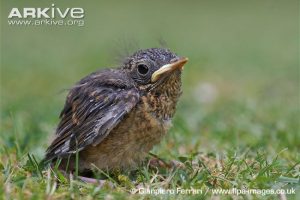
<point x="168" y="68"/>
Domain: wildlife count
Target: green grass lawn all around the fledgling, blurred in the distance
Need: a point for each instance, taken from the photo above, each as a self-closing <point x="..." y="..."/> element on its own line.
<point x="237" y="123"/>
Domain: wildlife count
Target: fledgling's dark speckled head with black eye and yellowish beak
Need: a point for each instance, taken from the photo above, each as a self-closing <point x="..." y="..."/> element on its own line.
<point x="155" y="69"/>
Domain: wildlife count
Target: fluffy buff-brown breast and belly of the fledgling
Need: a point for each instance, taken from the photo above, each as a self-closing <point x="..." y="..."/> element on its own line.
<point x="128" y="144"/>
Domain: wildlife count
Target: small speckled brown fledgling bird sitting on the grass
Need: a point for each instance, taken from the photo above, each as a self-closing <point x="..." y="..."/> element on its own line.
<point x="113" y="117"/>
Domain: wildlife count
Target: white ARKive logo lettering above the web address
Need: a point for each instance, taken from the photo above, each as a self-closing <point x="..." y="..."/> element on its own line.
<point x="52" y="12"/>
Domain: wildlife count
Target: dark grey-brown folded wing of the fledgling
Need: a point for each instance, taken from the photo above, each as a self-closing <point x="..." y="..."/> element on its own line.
<point x="93" y="108"/>
